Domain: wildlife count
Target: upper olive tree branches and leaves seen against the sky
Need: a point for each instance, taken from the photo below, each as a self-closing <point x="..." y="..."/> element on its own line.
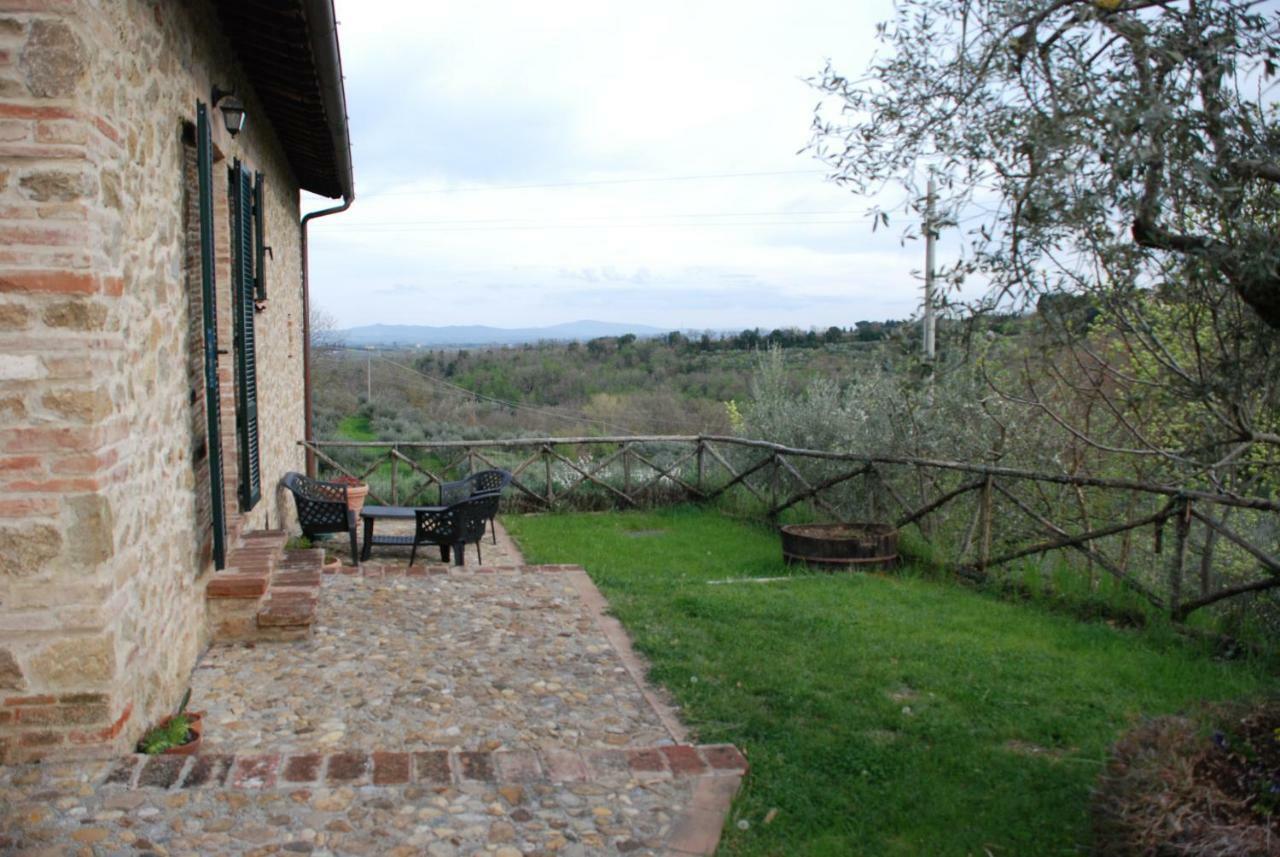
<point x="1144" y="131"/>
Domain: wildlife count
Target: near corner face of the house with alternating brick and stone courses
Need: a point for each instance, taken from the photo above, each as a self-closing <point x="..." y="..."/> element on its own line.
<point x="62" y="448"/>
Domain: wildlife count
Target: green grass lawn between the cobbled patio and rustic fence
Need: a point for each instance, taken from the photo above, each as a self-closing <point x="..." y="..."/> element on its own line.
<point x="883" y="714"/>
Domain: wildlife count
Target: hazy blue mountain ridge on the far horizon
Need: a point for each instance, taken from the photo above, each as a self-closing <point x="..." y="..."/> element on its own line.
<point x="487" y="336"/>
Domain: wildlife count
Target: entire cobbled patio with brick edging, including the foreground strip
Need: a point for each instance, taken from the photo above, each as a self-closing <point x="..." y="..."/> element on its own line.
<point x="435" y="712"/>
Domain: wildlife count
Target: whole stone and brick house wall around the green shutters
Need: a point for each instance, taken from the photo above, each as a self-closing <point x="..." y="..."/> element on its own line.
<point x="104" y="539"/>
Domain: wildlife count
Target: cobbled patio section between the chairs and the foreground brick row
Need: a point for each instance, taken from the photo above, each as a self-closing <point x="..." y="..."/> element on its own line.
<point x="468" y="661"/>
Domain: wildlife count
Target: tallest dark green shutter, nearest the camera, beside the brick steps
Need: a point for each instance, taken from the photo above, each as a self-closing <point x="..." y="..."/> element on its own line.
<point x="213" y="397"/>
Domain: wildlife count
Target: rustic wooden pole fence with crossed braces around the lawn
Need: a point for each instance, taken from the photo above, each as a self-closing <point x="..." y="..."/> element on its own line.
<point x="973" y="517"/>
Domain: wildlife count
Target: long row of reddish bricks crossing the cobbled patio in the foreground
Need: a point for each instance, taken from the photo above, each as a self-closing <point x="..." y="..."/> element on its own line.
<point x="442" y="768"/>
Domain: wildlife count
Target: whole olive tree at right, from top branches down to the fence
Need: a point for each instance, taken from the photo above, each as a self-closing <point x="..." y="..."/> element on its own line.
<point x="1121" y="150"/>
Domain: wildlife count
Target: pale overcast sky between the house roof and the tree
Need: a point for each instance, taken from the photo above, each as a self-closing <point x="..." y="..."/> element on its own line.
<point x="527" y="164"/>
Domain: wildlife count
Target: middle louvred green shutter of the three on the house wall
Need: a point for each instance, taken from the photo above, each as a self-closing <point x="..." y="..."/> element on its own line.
<point x="246" y="343"/>
